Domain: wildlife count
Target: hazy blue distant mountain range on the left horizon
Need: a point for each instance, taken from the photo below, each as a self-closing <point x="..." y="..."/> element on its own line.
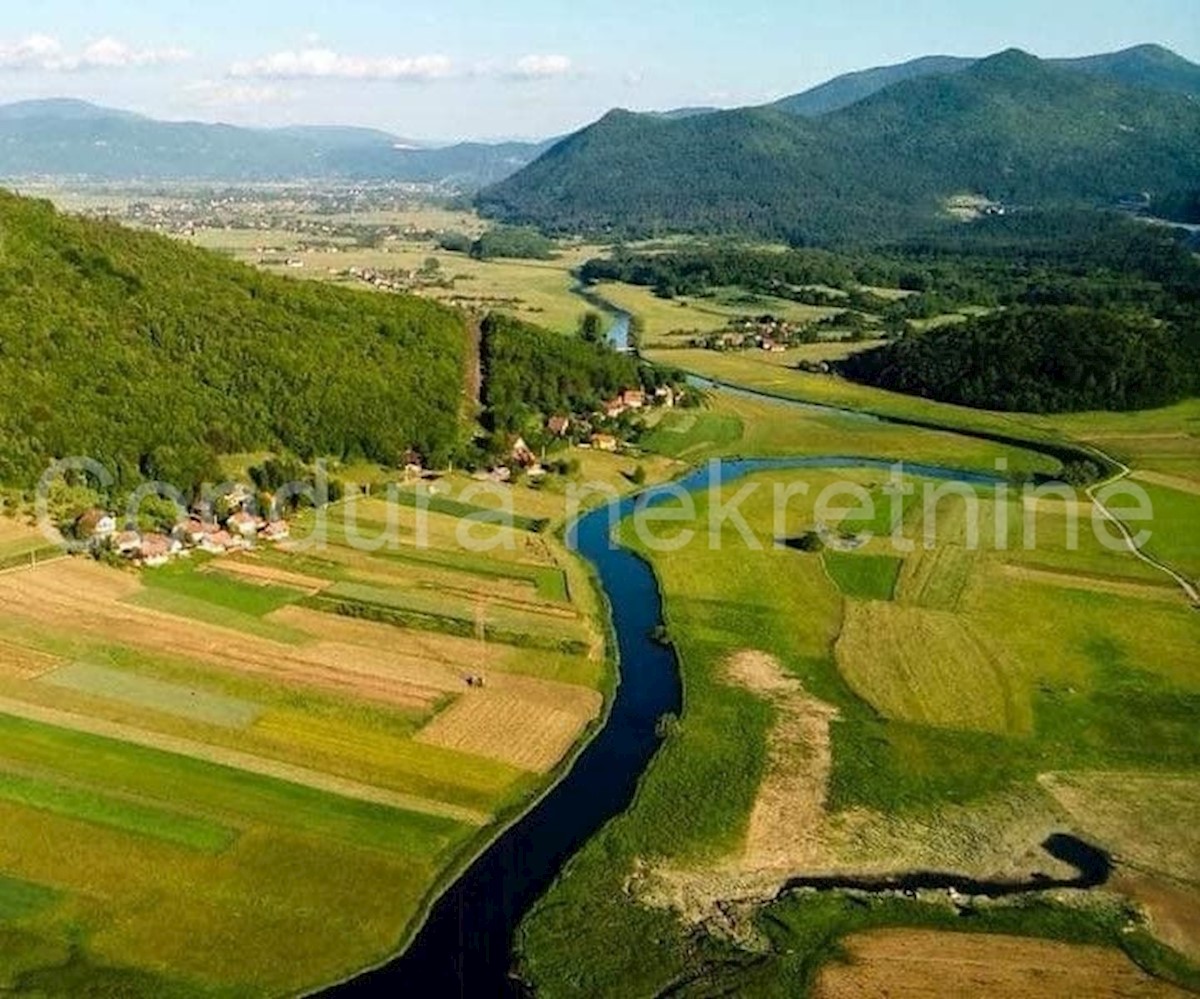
<point x="77" y="140"/>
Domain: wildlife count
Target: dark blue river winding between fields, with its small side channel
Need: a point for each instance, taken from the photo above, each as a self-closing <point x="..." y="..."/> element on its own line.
<point x="465" y="947"/>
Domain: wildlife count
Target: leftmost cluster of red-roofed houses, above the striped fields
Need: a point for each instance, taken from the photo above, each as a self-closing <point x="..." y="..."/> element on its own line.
<point x="241" y="531"/>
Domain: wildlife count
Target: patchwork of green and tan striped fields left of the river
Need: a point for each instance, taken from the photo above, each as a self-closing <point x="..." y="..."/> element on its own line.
<point x="208" y="787"/>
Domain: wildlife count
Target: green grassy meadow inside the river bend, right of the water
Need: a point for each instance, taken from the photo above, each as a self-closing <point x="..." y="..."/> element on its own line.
<point x="956" y="681"/>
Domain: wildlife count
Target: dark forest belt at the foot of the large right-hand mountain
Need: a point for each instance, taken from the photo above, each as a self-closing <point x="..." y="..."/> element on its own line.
<point x="1065" y="258"/>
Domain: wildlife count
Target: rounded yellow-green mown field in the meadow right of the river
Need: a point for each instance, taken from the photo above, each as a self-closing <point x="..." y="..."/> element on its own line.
<point x="928" y="667"/>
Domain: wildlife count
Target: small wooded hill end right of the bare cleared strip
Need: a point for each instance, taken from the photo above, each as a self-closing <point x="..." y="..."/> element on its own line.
<point x="531" y="374"/>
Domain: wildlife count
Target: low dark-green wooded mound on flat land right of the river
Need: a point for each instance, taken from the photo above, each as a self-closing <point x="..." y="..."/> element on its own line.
<point x="1041" y="361"/>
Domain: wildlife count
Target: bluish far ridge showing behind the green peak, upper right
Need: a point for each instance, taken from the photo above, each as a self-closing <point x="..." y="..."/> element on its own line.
<point x="1141" y="67"/>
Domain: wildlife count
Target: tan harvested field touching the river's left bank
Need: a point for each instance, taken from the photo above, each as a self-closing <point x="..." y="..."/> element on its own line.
<point x="530" y="725"/>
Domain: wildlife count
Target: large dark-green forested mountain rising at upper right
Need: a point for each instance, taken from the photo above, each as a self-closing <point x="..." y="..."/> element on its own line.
<point x="1012" y="128"/>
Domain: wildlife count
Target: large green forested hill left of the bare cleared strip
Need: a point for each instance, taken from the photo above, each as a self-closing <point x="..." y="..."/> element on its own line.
<point x="154" y="357"/>
